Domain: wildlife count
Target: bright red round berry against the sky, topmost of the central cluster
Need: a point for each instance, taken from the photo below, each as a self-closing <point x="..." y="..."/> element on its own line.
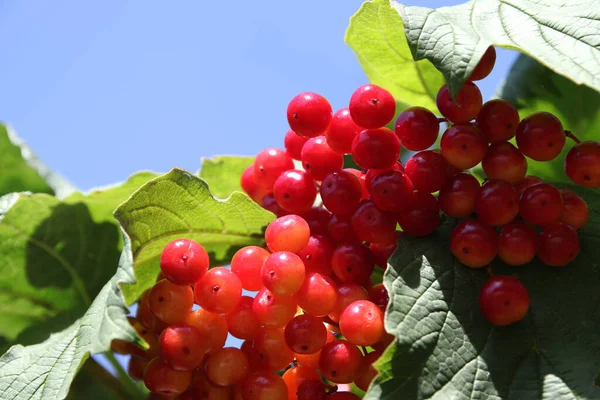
<point x="372" y="106"/>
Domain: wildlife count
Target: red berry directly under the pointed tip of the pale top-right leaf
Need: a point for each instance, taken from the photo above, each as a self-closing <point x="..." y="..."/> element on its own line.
<point x="467" y="106"/>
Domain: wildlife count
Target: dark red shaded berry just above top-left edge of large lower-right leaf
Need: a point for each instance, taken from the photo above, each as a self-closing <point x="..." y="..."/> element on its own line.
<point x="422" y="219"/>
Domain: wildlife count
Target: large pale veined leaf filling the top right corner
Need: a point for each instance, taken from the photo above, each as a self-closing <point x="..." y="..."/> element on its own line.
<point x="562" y="35"/>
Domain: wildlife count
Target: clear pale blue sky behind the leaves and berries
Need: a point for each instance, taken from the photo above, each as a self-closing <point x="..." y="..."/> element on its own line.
<point x="103" y="89"/>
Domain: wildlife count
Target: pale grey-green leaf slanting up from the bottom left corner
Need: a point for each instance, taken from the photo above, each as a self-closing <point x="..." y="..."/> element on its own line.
<point x="46" y="370"/>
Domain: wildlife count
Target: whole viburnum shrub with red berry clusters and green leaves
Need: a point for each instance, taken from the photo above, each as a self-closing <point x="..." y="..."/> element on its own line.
<point x="415" y="241"/>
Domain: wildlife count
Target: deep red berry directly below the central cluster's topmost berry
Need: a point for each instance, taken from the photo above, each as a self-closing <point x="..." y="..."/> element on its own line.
<point x="376" y="148"/>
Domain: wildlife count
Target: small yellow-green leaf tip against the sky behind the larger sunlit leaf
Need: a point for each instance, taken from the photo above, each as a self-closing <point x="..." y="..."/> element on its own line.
<point x="223" y="173"/>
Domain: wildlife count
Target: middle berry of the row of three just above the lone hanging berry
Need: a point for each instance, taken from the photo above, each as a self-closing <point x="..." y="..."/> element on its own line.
<point x="516" y="243"/>
